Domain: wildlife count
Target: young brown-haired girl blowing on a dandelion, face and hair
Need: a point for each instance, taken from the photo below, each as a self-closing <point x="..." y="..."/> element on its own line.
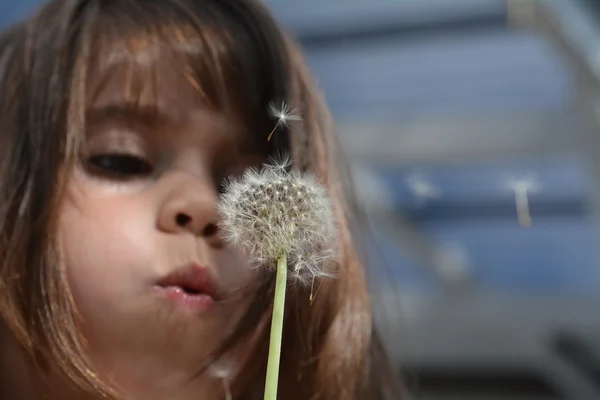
<point x="119" y="120"/>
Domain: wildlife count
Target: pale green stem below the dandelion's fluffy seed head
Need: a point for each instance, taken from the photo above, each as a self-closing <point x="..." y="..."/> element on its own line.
<point x="276" y="330"/>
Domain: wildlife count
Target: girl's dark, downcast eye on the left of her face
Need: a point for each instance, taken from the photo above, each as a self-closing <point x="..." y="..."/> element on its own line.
<point x="119" y="166"/>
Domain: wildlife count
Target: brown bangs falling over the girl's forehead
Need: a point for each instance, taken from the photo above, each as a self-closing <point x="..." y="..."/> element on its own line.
<point x="212" y="48"/>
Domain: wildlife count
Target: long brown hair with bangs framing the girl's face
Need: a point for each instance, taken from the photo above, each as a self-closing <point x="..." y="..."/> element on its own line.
<point x="239" y="60"/>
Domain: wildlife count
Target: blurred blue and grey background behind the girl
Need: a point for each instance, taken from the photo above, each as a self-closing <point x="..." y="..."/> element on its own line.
<point x="473" y="128"/>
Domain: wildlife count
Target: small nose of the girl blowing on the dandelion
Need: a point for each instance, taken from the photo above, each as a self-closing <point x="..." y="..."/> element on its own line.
<point x="190" y="205"/>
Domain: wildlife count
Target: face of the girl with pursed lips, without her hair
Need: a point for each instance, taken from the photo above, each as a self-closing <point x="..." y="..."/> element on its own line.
<point x="149" y="274"/>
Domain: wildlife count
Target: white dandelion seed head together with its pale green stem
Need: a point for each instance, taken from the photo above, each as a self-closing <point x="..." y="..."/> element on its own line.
<point x="280" y="218"/>
